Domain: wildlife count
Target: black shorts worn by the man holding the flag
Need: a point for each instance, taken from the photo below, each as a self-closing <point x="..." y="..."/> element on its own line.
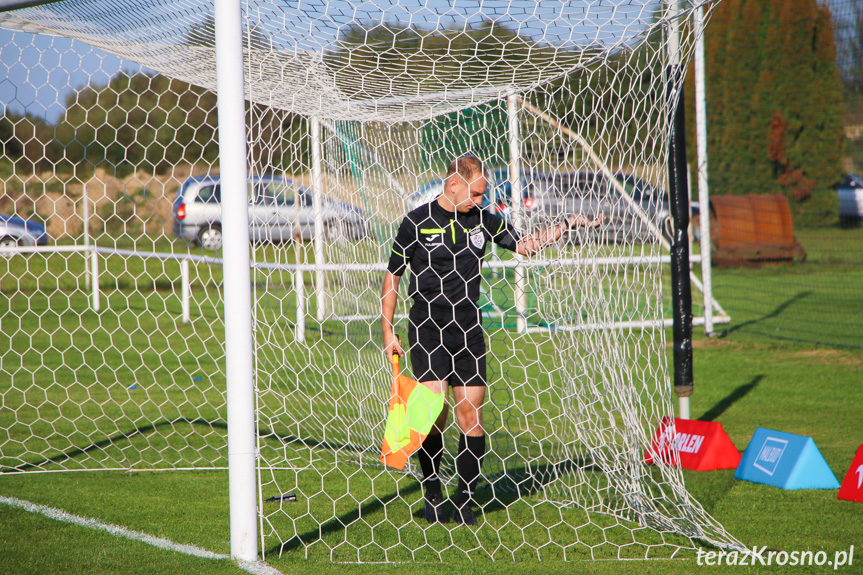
<point x="447" y="345"/>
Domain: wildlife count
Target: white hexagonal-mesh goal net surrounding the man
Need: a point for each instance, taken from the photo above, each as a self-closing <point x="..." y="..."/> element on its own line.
<point x="355" y="110"/>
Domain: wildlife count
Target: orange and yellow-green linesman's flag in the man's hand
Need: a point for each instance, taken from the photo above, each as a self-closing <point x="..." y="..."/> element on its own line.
<point x="413" y="410"/>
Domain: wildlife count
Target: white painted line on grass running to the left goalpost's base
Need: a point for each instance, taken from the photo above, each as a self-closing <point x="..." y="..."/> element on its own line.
<point x="255" y="568"/>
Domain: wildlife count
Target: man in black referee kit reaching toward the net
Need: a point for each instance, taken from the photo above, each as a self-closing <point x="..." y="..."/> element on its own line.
<point x="444" y="242"/>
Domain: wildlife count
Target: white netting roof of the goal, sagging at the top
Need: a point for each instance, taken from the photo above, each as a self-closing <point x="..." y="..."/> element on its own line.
<point x="363" y="61"/>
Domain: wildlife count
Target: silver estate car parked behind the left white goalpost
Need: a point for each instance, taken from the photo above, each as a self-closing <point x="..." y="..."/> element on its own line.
<point x="279" y="210"/>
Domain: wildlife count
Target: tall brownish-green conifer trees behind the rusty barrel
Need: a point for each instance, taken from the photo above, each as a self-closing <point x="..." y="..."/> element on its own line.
<point x="774" y="103"/>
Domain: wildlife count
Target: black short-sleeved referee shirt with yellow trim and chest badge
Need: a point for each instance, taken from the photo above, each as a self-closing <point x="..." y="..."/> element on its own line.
<point x="445" y="250"/>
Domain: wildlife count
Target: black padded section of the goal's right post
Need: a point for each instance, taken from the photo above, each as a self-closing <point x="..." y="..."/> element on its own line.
<point x="681" y="295"/>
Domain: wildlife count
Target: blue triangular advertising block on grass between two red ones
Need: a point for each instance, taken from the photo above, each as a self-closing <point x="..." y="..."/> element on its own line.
<point x="785" y="460"/>
